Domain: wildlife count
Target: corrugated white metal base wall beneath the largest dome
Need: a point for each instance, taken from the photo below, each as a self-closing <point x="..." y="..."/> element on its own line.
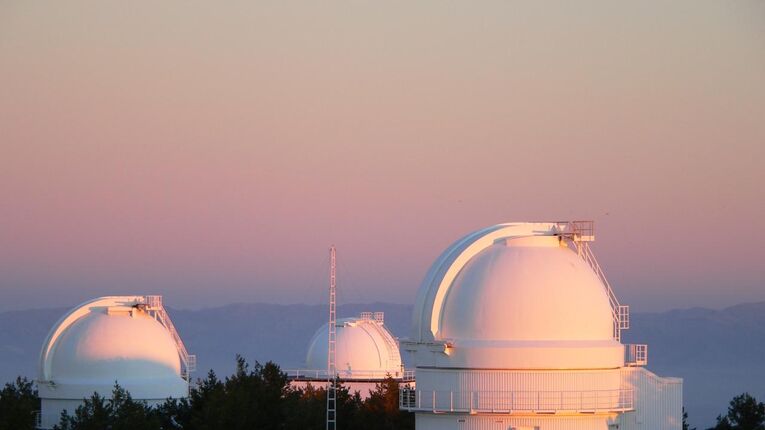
<point x="657" y="401"/>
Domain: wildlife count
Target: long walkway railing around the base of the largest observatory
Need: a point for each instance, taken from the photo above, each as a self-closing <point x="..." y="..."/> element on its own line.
<point x="508" y="402"/>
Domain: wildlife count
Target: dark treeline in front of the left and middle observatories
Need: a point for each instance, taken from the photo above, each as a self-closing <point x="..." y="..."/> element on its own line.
<point x="258" y="396"/>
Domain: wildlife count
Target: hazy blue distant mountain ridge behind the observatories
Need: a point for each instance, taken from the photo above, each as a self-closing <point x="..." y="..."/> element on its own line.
<point x="719" y="353"/>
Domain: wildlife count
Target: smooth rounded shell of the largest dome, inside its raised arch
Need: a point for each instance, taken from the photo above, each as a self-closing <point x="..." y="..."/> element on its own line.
<point x="526" y="289"/>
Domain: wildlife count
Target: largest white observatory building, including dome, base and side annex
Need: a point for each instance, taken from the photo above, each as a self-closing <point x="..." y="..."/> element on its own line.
<point x="515" y="327"/>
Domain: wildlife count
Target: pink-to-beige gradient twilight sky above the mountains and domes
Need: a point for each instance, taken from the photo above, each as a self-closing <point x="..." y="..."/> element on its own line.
<point x="211" y="152"/>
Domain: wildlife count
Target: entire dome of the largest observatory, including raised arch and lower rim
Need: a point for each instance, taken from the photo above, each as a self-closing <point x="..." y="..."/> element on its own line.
<point x="515" y="296"/>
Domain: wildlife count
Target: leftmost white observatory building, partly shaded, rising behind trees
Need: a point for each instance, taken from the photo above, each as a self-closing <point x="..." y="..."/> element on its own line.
<point x="127" y="339"/>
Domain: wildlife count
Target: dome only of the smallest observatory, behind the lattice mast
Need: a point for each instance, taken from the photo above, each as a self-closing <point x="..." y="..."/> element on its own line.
<point x="365" y="349"/>
